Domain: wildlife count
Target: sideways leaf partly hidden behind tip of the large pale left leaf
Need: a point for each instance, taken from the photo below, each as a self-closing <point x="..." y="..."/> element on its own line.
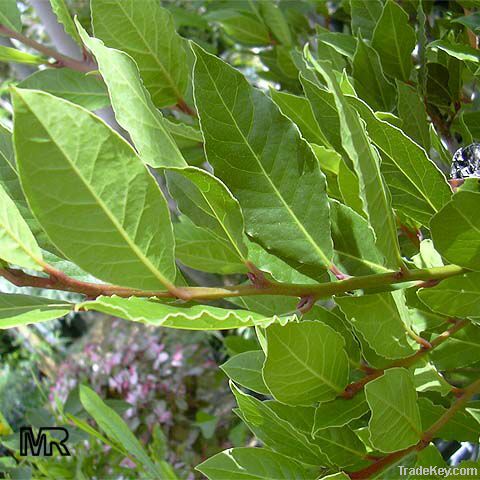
<point x="76" y="87"/>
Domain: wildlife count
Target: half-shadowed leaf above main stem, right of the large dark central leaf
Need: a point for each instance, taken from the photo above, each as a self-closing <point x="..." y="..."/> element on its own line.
<point x="353" y="241"/>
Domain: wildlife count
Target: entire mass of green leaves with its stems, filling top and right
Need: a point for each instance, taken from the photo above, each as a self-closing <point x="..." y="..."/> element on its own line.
<point x="362" y="263"/>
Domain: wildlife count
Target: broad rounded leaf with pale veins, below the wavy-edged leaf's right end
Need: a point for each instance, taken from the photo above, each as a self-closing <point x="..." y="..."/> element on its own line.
<point x="317" y="363"/>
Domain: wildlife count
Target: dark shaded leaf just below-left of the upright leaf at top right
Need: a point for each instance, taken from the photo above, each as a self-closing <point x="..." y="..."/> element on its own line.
<point x="370" y="82"/>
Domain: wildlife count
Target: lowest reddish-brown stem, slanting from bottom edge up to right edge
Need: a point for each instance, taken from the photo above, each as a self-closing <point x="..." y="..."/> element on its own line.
<point x="427" y="436"/>
